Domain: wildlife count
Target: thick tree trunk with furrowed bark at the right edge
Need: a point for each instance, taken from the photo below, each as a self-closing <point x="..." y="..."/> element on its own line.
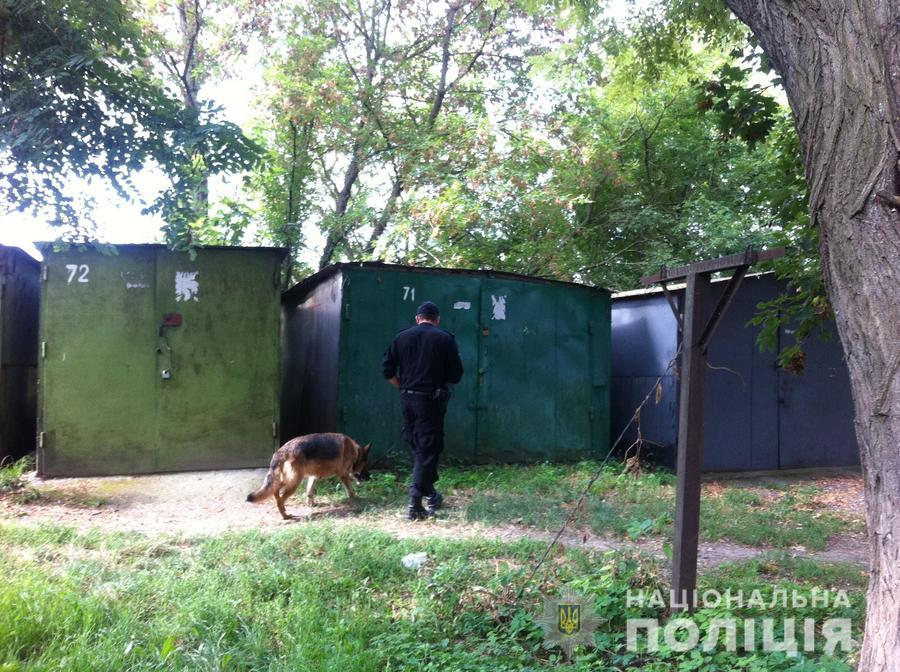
<point x="840" y="62"/>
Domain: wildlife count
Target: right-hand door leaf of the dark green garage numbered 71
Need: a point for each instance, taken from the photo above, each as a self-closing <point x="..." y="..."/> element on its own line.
<point x="534" y="371"/>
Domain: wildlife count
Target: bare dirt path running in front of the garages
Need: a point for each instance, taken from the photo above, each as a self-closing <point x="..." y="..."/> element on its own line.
<point x="209" y="503"/>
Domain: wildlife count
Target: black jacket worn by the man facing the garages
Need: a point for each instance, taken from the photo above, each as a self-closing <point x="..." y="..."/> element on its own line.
<point x="424" y="358"/>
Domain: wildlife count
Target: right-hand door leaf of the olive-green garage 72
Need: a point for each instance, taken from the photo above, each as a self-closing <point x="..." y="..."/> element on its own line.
<point x="217" y="370"/>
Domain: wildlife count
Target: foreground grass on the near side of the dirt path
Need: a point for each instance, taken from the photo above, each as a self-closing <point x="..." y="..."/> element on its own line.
<point x="321" y="597"/>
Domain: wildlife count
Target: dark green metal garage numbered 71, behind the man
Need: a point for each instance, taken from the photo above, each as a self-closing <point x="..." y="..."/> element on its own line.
<point x="535" y="352"/>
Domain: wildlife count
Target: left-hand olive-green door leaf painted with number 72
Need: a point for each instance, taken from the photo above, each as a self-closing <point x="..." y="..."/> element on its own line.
<point x="97" y="378"/>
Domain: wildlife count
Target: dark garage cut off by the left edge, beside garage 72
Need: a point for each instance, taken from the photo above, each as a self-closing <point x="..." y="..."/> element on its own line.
<point x="19" y="300"/>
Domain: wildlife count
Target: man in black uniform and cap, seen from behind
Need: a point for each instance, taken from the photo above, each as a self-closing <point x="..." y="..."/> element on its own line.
<point x="421" y="361"/>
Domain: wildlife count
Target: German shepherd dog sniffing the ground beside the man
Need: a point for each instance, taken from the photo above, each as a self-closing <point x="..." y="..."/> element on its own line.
<point x="317" y="456"/>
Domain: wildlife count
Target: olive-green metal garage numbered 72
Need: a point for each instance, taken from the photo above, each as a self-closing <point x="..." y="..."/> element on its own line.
<point x="153" y="360"/>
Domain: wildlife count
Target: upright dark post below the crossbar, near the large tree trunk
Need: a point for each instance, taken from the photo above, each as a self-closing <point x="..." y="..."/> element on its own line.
<point x="690" y="442"/>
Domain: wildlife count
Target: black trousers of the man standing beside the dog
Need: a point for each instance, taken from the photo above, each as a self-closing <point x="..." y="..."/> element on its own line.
<point x="424" y="428"/>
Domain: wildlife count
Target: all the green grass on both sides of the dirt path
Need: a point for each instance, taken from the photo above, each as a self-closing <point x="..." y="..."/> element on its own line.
<point x="320" y="596"/>
